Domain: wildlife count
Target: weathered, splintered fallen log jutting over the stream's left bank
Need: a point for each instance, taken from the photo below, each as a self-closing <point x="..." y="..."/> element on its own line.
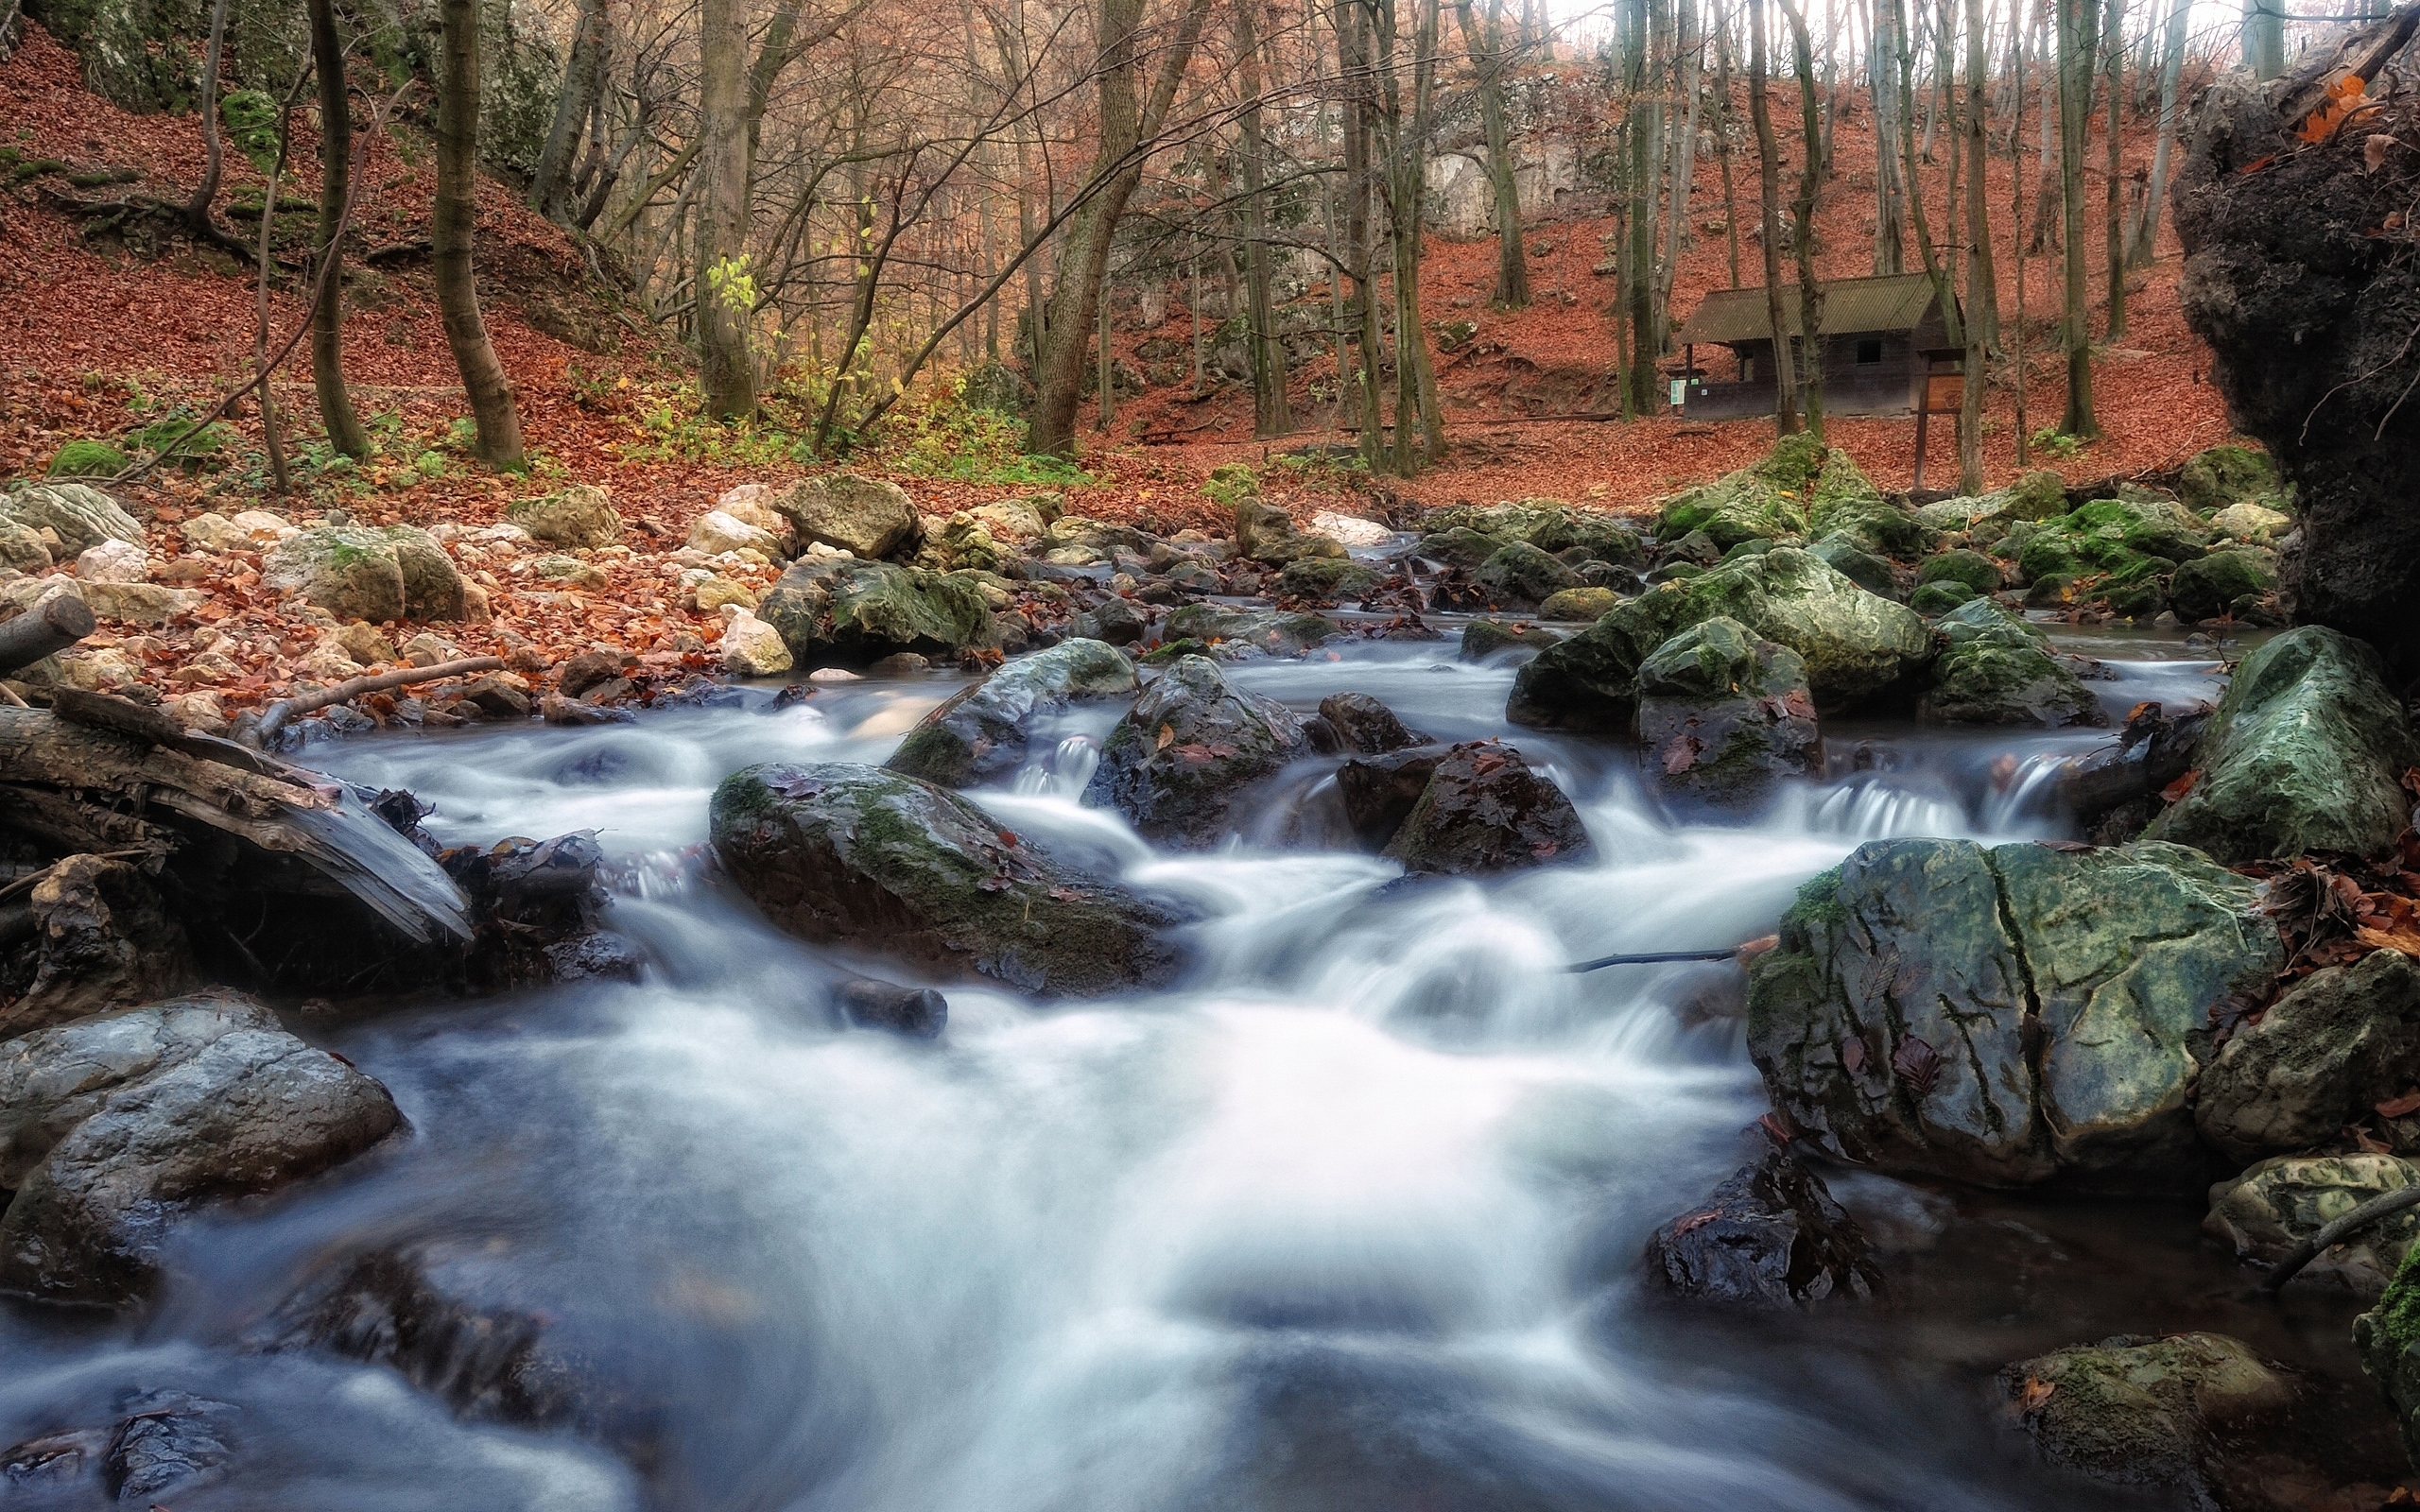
<point x="88" y="787"/>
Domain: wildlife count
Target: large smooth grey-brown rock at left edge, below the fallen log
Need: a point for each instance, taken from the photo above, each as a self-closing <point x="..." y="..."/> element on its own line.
<point x="246" y="1112"/>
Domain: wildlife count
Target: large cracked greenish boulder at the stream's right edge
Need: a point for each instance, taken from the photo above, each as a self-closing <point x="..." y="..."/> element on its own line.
<point x="2007" y="1015"/>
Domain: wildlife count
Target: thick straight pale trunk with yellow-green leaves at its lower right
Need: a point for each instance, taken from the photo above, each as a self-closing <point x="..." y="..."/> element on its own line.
<point x="725" y="272"/>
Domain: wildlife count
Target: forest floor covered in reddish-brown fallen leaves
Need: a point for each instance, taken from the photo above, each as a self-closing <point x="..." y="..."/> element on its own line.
<point x="117" y="330"/>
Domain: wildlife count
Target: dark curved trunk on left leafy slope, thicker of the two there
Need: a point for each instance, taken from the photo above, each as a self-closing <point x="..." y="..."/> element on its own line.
<point x="454" y="226"/>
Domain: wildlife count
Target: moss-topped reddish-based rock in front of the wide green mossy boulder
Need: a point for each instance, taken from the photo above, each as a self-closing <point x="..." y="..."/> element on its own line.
<point x="1724" y="717"/>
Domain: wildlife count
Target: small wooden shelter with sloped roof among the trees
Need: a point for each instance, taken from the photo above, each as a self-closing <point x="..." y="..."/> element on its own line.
<point x="1882" y="340"/>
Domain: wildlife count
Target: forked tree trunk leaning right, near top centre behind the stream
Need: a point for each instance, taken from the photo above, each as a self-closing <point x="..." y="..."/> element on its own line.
<point x="1110" y="187"/>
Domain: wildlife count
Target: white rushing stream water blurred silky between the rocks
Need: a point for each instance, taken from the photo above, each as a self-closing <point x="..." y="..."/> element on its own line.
<point x="1347" y="1220"/>
